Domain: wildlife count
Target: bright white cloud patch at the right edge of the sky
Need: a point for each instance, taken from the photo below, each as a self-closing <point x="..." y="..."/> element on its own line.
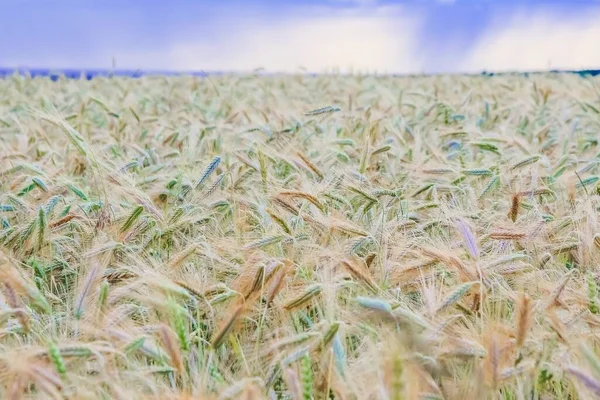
<point x="538" y="42"/>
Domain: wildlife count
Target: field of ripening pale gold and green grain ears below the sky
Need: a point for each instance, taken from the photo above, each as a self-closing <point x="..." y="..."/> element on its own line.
<point x="297" y="237"/>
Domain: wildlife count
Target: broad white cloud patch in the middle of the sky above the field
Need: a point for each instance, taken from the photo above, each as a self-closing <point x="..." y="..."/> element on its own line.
<point x="381" y="39"/>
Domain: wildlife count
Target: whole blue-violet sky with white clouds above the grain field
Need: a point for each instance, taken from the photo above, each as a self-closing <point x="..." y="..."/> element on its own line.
<point x="384" y="36"/>
